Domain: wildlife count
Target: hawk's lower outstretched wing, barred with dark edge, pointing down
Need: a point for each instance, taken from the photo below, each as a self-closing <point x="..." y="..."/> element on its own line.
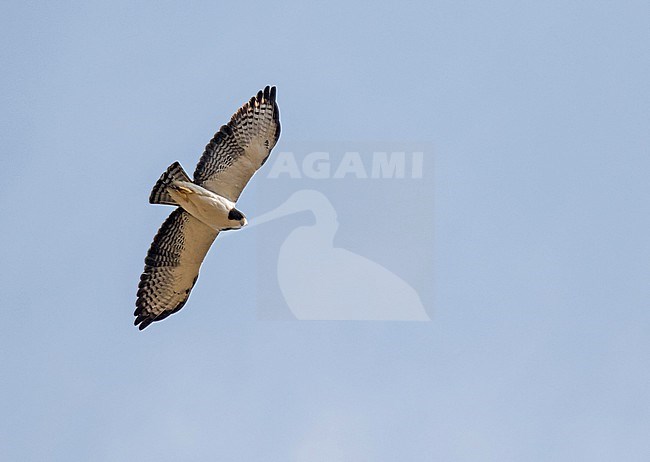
<point x="171" y="267"/>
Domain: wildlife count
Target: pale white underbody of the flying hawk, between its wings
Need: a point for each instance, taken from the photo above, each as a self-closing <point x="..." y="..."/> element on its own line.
<point x="204" y="205"/>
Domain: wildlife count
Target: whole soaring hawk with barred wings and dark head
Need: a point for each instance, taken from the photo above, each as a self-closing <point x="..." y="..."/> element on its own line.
<point x="204" y="206"/>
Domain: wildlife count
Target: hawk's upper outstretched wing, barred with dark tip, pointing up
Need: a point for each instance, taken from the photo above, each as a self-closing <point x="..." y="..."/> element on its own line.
<point x="240" y="147"/>
